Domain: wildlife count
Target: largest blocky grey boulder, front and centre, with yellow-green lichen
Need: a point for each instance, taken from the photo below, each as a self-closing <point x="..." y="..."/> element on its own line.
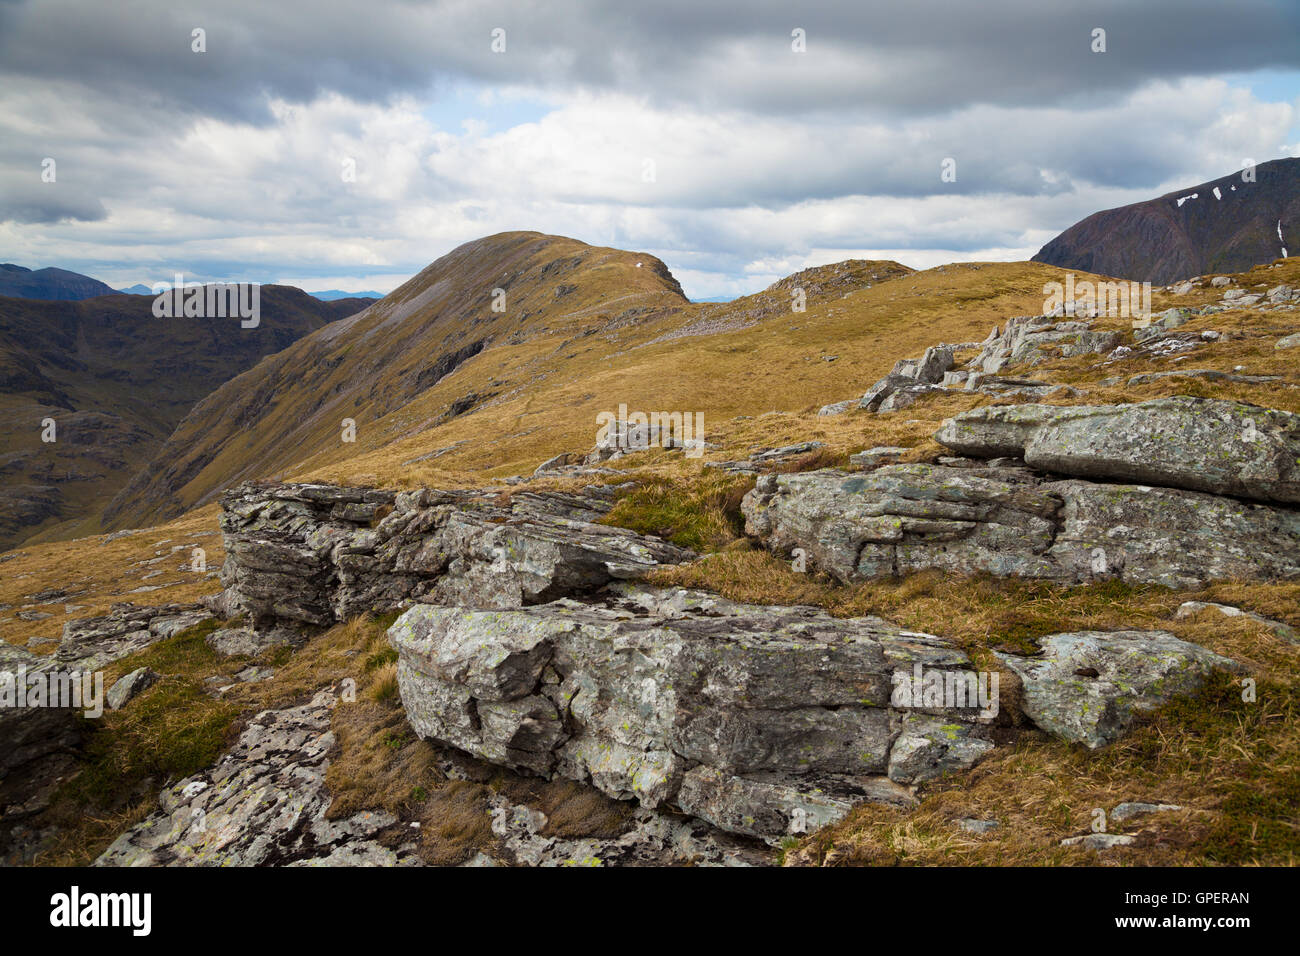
<point x="760" y="720"/>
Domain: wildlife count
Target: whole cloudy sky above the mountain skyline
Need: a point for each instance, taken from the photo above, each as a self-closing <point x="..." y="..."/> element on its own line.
<point x="348" y="145"/>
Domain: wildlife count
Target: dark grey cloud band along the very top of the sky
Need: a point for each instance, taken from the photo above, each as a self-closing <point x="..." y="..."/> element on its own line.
<point x="917" y="57"/>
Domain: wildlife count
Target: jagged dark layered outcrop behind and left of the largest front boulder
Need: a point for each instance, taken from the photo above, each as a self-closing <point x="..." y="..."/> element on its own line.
<point x="318" y="555"/>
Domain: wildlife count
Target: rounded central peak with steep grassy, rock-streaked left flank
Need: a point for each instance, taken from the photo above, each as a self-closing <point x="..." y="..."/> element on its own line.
<point x="409" y="353"/>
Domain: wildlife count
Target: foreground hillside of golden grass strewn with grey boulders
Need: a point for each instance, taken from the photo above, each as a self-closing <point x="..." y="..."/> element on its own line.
<point x="1038" y="573"/>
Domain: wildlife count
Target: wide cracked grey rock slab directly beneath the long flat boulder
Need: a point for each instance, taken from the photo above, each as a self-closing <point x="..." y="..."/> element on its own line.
<point x="1009" y="521"/>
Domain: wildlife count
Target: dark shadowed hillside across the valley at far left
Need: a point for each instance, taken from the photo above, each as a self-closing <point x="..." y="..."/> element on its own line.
<point x="116" y="382"/>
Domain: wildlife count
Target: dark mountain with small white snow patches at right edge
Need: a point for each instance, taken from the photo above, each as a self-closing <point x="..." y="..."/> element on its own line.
<point x="1224" y="226"/>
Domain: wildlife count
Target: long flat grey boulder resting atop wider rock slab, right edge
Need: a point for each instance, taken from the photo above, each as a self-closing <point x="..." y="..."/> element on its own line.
<point x="1199" y="444"/>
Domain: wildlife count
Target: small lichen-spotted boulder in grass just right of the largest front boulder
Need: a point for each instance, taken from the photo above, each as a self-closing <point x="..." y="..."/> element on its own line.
<point x="1090" y="686"/>
